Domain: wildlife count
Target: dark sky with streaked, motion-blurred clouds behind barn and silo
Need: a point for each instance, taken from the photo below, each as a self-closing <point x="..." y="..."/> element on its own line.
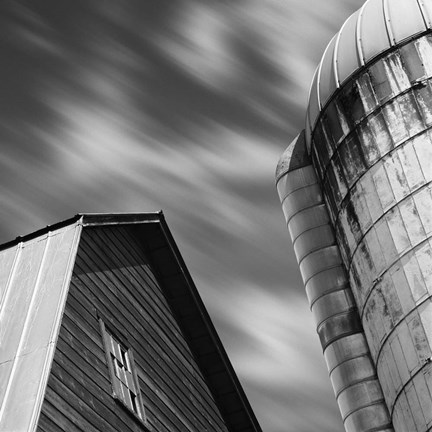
<point x="184" y="106"/>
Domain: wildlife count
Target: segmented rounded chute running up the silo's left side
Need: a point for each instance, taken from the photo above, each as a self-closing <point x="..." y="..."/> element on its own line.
<point x="352" y="372"/>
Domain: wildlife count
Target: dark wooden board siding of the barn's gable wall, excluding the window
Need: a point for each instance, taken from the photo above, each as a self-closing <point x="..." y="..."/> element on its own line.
<point x="113" y="280"/>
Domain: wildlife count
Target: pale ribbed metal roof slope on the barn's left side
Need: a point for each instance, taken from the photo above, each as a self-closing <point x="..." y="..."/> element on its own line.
<point x="34" y="288"/>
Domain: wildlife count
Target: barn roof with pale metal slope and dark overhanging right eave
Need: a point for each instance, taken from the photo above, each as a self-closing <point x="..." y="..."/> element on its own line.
<point x="30" y="315"/>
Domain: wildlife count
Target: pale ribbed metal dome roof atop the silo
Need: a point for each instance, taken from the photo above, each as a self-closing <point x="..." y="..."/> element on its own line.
<point x="375" y="28"/>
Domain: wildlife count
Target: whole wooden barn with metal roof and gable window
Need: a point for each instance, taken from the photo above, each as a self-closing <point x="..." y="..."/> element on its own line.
<point x="119" y="281"/>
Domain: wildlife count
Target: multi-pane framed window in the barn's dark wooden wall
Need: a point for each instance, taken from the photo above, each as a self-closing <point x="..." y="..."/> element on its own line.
<point x="123" y="373"/>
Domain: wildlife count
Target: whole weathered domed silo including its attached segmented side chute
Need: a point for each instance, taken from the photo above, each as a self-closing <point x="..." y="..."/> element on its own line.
<point x="355" y="188"/>
